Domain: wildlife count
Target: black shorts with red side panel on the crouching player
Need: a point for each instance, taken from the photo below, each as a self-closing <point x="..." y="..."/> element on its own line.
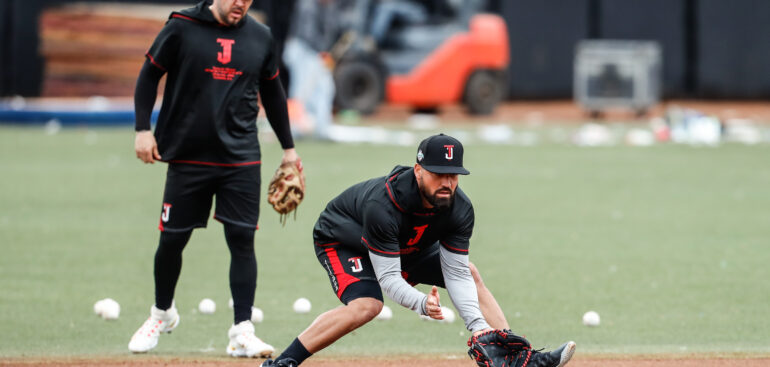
<point x="352" y="275"/>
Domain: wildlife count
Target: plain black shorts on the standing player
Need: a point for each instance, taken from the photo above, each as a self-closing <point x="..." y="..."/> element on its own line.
<point x="190" y="188"/>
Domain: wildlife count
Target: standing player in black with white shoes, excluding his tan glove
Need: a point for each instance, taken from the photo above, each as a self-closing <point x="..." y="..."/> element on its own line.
<point x="216" y="59"/>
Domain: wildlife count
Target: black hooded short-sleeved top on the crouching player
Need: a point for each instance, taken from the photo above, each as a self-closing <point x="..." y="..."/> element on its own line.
<point x="385" y="215"/>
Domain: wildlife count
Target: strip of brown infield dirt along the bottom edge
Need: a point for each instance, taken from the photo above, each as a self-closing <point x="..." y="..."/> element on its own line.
<point x="578" y="361"/>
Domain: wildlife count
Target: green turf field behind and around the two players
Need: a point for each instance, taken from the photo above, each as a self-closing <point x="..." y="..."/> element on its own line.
<point x="670" y="244"/>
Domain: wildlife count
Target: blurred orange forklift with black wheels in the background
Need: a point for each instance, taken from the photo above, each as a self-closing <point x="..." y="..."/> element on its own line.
<point x="460" y="57"/>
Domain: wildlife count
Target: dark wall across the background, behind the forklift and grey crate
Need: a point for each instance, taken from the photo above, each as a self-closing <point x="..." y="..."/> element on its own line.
<point x="711" y="48"/>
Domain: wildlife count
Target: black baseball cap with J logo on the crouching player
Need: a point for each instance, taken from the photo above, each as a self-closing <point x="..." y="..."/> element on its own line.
<point x="441" y="154"/>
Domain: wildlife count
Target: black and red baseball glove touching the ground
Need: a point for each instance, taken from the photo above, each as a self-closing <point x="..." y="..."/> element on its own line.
<point x="498" y="348"/>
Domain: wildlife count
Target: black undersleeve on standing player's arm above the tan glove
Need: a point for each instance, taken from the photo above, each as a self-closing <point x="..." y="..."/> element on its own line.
<point x="274" y="102"/>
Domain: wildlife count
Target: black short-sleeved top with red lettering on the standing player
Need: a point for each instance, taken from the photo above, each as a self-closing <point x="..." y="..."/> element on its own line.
<point x="209" y="105"/>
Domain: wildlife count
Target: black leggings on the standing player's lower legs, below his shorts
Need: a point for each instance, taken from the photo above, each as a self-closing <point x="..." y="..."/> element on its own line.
<point x="243" y="268"/>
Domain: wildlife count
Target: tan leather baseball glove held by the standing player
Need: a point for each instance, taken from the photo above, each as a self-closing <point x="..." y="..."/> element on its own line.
<point x="286" y="189"/>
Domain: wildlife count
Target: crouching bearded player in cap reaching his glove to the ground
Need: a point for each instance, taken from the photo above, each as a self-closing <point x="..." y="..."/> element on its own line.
<point x="390" y="233"/>
